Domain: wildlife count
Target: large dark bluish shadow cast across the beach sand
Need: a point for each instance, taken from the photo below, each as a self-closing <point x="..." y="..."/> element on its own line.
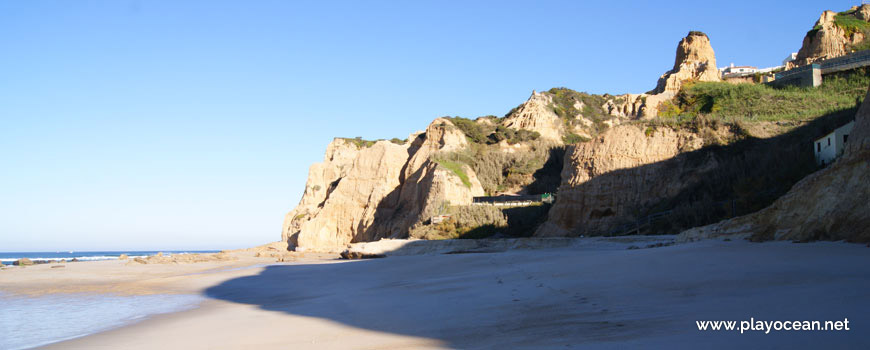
<point x="566" y="298"/>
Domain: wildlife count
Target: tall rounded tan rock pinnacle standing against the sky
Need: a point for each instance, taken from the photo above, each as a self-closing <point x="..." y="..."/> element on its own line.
<point x="695" y="61"/>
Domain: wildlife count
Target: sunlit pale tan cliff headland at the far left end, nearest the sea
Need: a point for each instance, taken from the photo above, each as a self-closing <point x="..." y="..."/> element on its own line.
<point x="363" y="194"/>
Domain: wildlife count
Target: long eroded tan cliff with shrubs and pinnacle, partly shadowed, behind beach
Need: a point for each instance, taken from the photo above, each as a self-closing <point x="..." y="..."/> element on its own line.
<point x="611" y="159"/>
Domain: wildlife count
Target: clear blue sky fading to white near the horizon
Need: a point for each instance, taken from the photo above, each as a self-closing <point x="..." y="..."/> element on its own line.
<point x="191" y="124"/>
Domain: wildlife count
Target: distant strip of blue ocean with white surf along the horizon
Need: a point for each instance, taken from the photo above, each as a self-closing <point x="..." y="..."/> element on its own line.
<point x="7" y="258"/>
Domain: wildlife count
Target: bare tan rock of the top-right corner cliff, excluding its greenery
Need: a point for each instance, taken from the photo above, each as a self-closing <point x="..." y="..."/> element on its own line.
<point x="828" y="40"/>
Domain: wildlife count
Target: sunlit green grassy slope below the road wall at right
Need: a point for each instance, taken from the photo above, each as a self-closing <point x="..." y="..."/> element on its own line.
<point x="758" y="102"/>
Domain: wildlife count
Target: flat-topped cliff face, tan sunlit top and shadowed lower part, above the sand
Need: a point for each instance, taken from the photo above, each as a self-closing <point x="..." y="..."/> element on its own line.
<point x="609" y="180"/>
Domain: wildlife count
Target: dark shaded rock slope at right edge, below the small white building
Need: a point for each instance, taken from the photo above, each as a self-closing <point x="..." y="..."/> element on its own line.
<point x="830" y="204"/>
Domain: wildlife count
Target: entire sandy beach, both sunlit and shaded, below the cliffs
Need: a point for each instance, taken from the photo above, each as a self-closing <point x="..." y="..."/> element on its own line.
<point x="600" y="296"/>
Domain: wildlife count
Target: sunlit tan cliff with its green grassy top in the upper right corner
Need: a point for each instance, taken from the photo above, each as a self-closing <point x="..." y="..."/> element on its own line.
<point x="834" y="34"/>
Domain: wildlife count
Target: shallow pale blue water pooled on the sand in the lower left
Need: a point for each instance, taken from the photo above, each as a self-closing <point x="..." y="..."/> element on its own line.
<point x="27" y="322"/>
